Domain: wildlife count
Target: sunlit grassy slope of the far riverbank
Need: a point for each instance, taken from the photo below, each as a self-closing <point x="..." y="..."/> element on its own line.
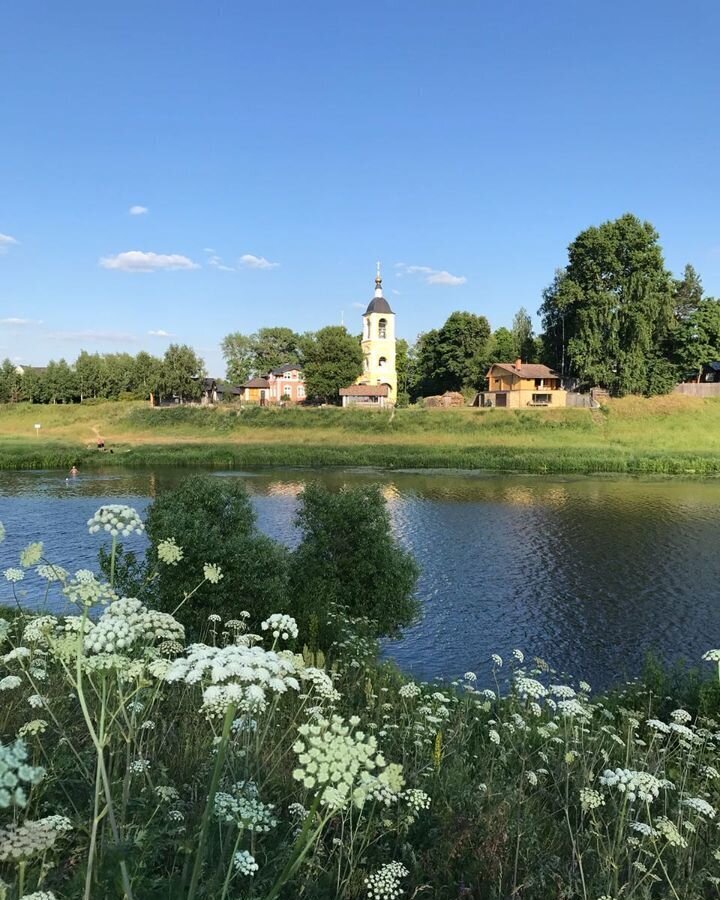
<point x="670" y="435"/>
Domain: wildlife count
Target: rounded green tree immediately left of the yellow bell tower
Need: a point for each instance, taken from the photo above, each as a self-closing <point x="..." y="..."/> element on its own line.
<point x="333" y="359"/>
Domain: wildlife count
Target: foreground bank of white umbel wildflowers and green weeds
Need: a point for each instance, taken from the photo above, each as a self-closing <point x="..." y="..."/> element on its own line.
<point x="135" y="765"/>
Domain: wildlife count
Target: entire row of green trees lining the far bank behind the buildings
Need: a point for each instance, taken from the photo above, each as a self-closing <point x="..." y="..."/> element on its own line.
<point x="614" y="316"/>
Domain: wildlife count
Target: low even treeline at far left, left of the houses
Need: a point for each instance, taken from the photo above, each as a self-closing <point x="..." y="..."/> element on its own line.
<point x="109" y="376"/>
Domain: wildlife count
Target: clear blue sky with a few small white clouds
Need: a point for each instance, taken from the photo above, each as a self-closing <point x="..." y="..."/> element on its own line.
<point x="280" y="148"/>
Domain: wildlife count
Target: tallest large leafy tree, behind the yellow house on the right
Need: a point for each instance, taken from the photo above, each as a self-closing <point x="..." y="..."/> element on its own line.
<point x="608" y="315"/>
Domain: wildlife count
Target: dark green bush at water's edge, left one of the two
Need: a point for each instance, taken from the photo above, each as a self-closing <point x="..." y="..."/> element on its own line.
<point x="212" y="519"/>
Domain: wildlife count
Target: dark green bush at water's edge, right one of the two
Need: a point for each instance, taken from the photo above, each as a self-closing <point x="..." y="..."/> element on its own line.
<point x="349" y="558"/>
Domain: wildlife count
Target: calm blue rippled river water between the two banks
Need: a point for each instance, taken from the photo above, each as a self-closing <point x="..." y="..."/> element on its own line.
<point x="588" y="573"/>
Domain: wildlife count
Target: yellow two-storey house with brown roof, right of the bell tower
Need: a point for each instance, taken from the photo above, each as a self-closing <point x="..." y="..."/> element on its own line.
<point x="517" y="385"/>
